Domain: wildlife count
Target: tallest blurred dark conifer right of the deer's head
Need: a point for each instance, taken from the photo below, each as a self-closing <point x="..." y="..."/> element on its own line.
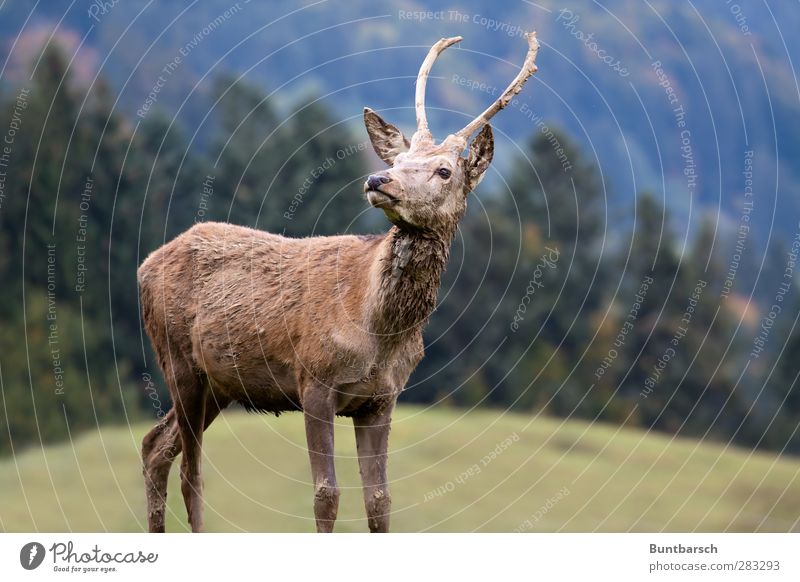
<point x="561" y="198"/>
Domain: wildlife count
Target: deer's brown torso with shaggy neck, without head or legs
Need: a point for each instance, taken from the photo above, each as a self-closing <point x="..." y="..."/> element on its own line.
<point x="250" y="311"/>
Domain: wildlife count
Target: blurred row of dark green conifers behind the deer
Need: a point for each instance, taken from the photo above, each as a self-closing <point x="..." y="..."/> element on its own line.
<point x="557" y="300"/>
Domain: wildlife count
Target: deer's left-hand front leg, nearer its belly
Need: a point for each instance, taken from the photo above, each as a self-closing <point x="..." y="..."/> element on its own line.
<point x="319" y="409"/>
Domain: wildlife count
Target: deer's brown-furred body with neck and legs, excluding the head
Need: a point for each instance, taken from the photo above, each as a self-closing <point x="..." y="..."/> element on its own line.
<point x="274" y="323"/>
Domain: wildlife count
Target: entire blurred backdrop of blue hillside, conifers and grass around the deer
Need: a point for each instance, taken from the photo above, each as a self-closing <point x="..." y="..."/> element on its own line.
<point x="616" y="346"/>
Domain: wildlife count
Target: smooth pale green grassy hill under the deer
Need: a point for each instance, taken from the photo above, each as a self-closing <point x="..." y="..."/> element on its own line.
<point x="535" y="475"/>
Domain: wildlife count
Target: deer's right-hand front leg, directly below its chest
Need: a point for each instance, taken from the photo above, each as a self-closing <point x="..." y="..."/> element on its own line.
<point x="372" y="442"/>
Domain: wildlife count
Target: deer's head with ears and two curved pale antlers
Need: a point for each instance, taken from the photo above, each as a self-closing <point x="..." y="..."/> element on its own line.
<point x="427" y="183"/>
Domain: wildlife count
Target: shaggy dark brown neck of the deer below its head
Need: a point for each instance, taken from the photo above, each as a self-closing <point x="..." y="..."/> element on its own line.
<point x="406" y="281"/>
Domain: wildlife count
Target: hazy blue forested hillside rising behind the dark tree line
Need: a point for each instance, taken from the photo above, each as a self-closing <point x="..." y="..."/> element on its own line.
<point x="729" y="69"/>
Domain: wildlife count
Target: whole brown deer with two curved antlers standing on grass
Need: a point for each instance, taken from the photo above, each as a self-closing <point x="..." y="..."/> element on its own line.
<point x="330" y="326"/>
